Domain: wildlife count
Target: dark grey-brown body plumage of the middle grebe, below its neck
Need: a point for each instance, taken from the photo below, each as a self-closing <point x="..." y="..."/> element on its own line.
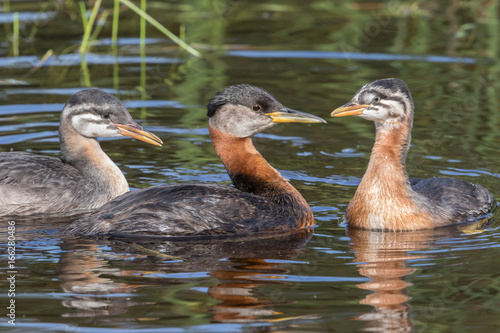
<point x="217" y="209"/>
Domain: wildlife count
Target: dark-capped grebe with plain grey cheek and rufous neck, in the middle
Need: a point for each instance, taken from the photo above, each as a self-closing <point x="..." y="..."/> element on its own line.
<point x="263" y="200"/>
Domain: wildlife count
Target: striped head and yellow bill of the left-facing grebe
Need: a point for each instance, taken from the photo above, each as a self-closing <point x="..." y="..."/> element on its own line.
<point x="383" y="101"/>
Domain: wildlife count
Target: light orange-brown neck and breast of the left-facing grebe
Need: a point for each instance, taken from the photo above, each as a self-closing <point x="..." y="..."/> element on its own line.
<point x="384" y="198"/>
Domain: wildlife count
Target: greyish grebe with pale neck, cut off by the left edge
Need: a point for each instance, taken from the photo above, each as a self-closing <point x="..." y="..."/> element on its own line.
<point x="85" y="177"/>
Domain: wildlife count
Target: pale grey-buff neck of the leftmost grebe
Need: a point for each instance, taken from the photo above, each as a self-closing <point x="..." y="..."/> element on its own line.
<point x="86" y="155"/>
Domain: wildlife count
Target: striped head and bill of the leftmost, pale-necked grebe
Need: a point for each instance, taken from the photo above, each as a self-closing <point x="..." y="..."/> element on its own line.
<point x="93" y="113"/>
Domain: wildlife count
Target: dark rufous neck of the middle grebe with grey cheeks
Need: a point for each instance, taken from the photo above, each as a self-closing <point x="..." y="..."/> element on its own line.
<point x="250" y="172"/>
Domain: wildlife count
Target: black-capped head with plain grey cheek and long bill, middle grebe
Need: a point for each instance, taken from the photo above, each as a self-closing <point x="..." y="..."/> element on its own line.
<point x="244" y="110"/>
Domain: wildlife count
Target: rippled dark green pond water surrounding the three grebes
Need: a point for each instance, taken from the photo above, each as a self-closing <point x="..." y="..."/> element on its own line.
<point x="313" y="56"/>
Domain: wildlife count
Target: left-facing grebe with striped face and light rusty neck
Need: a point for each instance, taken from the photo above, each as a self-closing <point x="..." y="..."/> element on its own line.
<point x="386" y="198"/>
